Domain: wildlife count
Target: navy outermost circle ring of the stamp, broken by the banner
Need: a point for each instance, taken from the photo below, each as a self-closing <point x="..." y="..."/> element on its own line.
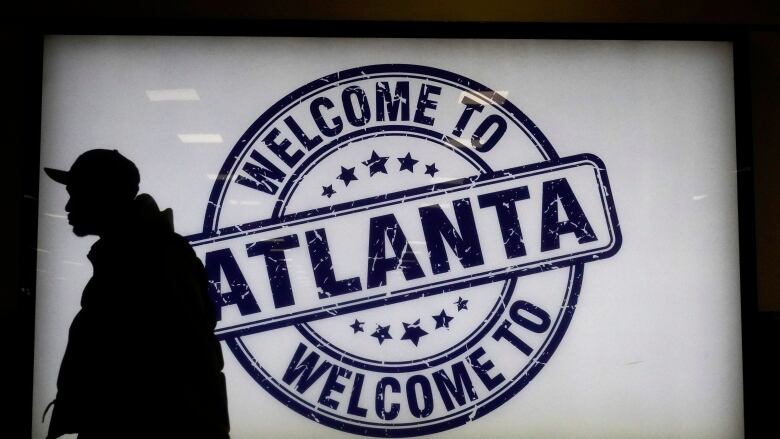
<point x="265" y="380"/>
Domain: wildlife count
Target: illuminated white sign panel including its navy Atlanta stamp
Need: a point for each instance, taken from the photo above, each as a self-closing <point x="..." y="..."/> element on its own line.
<point x="397" y="238"/>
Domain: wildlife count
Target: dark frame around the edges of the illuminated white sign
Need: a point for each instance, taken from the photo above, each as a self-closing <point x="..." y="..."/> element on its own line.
<point x="26" y="153"/>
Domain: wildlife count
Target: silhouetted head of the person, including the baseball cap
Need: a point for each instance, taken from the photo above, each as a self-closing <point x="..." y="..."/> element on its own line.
<point x="101" y="184"/>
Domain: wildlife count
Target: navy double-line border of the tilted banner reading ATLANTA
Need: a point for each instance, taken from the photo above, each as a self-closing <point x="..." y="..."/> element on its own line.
<point x="444" y="286"/>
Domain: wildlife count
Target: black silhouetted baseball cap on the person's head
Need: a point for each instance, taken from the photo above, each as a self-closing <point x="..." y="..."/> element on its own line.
<point x="100" y="169"/>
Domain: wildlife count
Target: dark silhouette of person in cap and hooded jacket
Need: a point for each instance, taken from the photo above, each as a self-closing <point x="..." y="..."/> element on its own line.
<point x="142" y="359"/>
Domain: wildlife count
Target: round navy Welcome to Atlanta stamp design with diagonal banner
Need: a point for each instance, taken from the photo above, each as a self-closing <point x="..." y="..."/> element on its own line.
<point x="396" y="250"/>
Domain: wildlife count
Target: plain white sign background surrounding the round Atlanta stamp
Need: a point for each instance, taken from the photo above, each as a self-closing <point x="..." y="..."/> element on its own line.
<point x="654" y="348"/>
